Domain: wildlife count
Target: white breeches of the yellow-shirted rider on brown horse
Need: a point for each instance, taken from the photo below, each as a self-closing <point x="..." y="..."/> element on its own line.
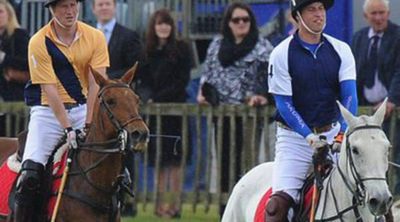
<point x="45" y="131"/>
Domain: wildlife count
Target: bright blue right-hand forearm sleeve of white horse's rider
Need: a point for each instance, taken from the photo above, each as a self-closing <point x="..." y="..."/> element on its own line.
<point x="348" y="98"/>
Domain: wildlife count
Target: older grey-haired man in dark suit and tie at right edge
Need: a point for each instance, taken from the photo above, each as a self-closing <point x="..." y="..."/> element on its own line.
<point x="377" y="52"/>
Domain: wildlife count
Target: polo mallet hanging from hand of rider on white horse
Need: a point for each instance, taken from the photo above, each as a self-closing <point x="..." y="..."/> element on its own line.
<point x="319" y="161"/>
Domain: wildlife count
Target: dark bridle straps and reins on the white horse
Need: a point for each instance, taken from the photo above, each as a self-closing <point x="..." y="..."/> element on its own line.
<point x="359" y="192"/>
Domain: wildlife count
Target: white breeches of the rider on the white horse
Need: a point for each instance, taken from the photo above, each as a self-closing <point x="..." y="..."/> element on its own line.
<point x="293" y="159"/>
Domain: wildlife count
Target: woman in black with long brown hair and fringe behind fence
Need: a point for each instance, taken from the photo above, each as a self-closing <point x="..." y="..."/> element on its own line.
<point x="165" y="73"/>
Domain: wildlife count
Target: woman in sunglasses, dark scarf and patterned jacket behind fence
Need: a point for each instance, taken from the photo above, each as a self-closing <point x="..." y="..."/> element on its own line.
<point x="236" y="67"/>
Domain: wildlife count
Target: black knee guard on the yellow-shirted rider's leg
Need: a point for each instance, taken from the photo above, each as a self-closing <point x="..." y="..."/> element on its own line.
<point x="29" y="182"/>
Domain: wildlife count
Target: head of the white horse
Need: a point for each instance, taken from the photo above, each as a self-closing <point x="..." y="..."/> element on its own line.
<point x="365" y="157"/>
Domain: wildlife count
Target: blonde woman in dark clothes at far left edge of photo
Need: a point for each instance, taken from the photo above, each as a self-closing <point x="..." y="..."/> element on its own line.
<point x="13" y="55"/>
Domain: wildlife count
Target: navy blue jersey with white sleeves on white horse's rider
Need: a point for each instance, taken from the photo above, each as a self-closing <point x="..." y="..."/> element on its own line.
<point x="311" y="78"/>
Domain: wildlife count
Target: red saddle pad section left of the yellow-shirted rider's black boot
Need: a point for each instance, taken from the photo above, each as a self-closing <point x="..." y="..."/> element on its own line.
<point x="7" y="180"/>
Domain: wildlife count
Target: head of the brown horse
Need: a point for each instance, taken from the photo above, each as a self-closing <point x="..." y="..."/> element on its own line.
<point x="118" y="107"/>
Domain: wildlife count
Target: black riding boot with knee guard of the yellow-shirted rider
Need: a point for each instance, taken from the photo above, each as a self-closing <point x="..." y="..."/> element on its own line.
<point x="28" y="198"/>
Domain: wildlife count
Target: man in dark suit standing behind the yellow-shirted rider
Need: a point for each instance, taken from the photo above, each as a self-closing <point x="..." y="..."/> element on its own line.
<point x="124" y="45"/>
